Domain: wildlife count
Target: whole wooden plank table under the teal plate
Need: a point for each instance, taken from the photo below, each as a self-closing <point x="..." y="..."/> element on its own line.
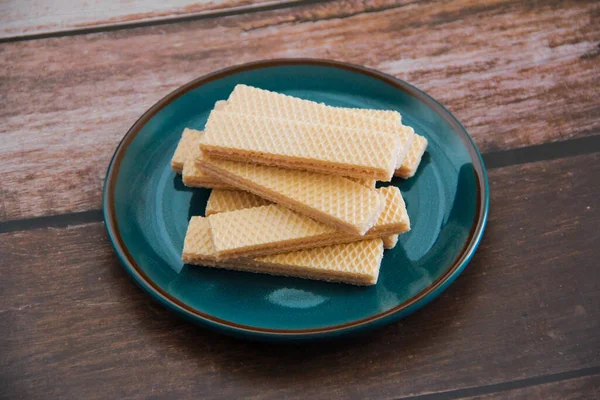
<point x="523" y="321"/>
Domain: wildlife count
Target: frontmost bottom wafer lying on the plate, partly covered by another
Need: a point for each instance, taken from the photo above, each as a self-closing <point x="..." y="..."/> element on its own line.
<point x="356" y="263"/>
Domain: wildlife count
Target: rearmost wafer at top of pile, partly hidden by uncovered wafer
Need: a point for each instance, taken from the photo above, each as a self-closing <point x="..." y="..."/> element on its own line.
<point x="254" y="101"/>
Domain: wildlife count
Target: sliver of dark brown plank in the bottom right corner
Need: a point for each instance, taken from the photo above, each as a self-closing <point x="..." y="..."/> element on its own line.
<point x="583" y="388"/>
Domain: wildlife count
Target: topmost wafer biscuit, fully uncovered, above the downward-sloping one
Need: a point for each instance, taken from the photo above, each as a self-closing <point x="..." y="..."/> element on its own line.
<point x="299" y="145"/>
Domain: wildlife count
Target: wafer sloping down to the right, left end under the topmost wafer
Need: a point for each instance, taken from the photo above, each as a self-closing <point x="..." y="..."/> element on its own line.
<point x="330" y="199"/>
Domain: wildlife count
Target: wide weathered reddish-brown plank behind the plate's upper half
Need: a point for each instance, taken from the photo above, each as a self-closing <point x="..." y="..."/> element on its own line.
<point x="514" y="73"/>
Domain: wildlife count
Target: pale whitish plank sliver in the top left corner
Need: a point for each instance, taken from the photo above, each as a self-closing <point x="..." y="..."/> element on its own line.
<point x="34" y="17"/>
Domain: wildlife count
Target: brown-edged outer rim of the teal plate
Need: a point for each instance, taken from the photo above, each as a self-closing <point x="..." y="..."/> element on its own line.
<point x="393" y="314"/>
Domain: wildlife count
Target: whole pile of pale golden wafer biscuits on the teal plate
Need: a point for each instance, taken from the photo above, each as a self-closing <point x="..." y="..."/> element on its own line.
<point x="294" y="186"/>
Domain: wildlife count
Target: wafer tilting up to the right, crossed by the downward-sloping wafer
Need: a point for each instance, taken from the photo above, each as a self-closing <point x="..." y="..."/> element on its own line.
<point x="275" y="229"/>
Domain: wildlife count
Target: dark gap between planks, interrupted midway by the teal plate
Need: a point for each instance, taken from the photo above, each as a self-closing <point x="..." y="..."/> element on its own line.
<point x="492" y="160"/>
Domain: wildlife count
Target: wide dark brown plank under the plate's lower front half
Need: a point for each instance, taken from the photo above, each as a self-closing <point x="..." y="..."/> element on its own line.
<point x="73" y="325"/>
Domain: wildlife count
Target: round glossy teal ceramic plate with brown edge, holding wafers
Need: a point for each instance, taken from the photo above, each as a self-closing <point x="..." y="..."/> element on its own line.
<point x="147" y="208"/>
